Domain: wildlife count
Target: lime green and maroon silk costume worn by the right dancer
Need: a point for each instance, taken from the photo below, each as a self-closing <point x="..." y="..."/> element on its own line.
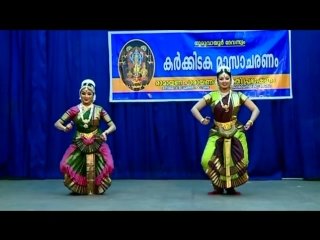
<point x="225" y="157"/>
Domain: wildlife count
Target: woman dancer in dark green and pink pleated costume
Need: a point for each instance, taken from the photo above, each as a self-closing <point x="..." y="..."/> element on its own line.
<point x="87" y="163"/>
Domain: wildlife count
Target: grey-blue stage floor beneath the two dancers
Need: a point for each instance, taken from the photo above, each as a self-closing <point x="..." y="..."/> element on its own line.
<point x="160" y="195"/>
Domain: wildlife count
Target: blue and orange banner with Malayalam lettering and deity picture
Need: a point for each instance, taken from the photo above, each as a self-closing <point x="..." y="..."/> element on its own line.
<point x="164" y="66"/>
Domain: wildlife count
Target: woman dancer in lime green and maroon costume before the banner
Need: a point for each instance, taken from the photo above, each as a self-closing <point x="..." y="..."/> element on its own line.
<point x="225" y="157"/>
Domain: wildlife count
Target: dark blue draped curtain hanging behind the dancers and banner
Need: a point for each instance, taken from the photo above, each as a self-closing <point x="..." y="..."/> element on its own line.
<point x="41" y="72"/>
